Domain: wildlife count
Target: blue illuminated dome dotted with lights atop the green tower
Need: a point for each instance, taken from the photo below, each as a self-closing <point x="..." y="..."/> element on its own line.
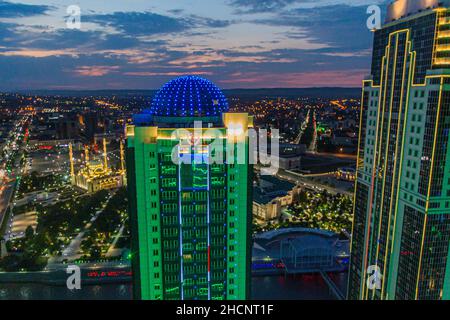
<point x="189" y="96"/>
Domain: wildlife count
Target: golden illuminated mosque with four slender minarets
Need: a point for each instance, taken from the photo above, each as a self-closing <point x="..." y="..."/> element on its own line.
<point x="93" y="176"/>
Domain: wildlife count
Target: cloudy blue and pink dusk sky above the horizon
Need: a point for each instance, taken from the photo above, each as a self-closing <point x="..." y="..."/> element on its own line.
<point x="140" y="44"/>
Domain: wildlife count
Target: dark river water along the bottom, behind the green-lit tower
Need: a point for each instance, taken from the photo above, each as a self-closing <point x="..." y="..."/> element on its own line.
<point x="300" y="287"/>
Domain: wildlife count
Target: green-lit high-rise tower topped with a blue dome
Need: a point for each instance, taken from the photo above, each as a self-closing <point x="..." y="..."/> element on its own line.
<point x="190" y="185"/>
